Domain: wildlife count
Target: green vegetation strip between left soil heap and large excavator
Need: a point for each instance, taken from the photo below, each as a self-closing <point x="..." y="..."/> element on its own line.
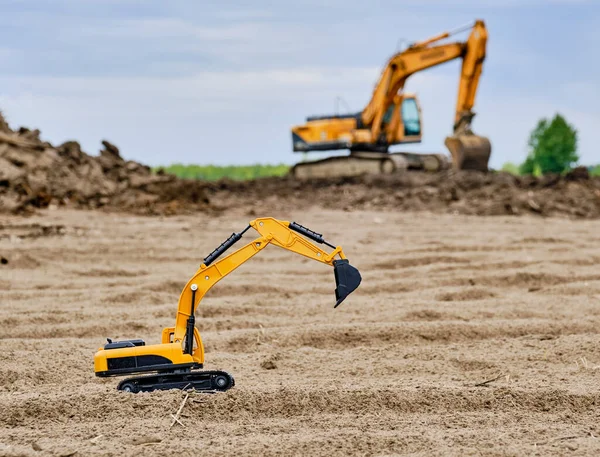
<point x="214" y="172"/>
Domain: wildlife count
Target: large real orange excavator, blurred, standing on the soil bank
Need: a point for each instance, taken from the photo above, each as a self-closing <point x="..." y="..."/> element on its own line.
<point x="393" y="117"/>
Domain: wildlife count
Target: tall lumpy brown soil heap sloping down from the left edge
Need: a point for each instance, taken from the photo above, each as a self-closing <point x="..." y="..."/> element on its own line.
<point x="36" y="174"/>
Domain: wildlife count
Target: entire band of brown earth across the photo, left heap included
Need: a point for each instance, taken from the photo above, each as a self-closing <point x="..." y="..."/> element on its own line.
<point x="34" y="174"/>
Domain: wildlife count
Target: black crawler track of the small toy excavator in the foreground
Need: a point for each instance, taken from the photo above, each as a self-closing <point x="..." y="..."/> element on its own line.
<point x="204" y="381"/>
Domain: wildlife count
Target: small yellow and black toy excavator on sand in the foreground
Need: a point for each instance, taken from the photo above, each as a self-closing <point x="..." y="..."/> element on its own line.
<point x="175" y="363"/>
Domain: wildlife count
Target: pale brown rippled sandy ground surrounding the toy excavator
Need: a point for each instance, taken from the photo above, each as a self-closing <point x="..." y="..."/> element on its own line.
<point x="447" y="303"/>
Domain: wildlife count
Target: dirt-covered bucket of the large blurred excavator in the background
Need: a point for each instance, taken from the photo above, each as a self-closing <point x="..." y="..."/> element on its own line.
<point x="469" y="152"/>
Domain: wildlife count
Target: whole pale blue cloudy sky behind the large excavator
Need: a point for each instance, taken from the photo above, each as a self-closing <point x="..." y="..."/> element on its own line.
<point x="222" y="82"/>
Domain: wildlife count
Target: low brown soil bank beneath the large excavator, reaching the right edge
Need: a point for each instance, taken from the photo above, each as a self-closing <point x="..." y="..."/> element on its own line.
<point x="459" y="192"/>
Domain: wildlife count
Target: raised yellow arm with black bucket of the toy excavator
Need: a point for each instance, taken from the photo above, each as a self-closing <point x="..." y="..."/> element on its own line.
<point x="271" y="231"/>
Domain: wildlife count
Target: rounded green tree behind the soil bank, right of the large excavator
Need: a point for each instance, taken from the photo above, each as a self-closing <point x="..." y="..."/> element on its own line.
<point x="553" y="147"/>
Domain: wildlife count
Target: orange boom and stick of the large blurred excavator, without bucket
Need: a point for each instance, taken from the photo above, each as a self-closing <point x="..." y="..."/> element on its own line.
<point x="421" y="56"/>
